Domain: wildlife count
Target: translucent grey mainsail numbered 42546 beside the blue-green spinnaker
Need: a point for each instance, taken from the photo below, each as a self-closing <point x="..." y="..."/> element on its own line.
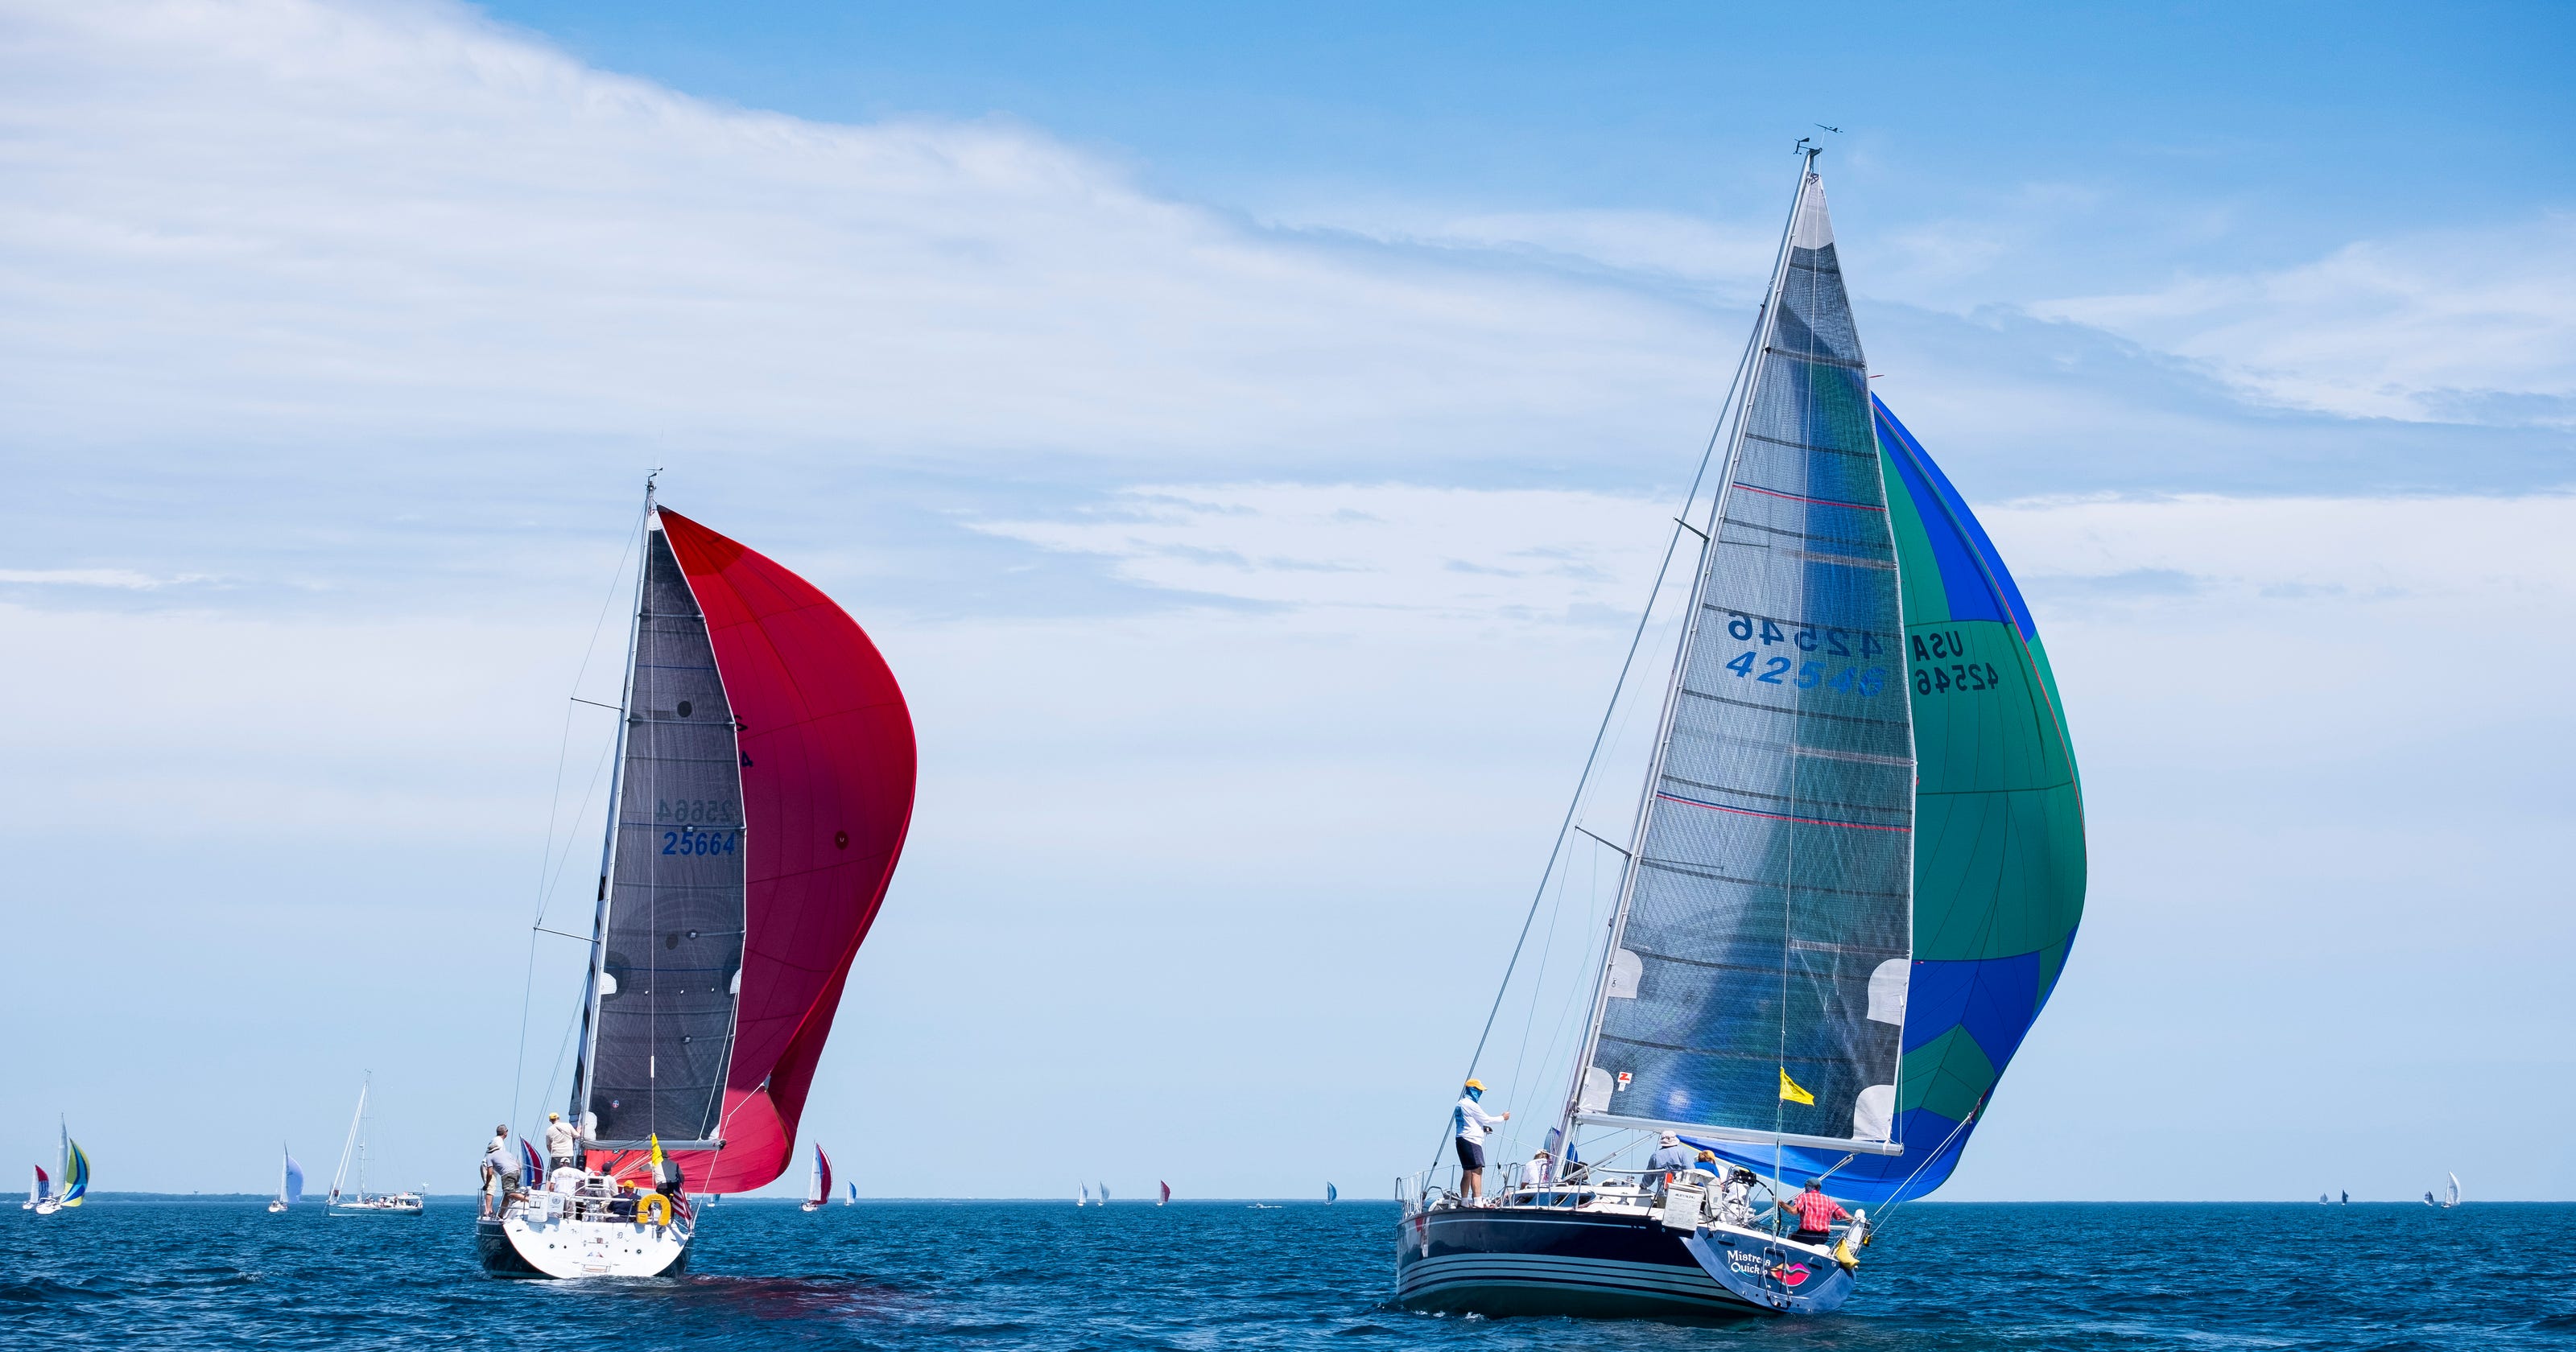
<point x="1758" y="970"/>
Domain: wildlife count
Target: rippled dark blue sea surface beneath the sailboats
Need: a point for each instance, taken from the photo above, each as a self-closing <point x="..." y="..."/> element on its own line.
<point x="1047" y="1276"/>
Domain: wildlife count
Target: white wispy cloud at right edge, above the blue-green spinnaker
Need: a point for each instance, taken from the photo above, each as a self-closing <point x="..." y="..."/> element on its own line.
<point x="2474" y="326"/>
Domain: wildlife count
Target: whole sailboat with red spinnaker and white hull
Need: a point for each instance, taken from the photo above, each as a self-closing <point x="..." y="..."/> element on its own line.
<point x="761" y="800"/>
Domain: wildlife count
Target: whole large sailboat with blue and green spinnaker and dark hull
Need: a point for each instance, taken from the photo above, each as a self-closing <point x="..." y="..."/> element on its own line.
<point x="1851" y="882"/>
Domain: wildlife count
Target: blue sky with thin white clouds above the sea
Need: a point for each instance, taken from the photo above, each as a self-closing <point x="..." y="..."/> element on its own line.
<point x="1245" y="431"/>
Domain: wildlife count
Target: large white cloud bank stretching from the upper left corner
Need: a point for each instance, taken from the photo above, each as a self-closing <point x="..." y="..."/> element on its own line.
<point x="377" y="223"/>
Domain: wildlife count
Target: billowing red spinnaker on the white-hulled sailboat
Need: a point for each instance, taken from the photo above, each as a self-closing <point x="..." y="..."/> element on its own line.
<point x="828" y="769"/>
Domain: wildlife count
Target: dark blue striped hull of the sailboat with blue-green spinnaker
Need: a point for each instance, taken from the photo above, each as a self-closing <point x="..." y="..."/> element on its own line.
<point x="1609" y="1266"/>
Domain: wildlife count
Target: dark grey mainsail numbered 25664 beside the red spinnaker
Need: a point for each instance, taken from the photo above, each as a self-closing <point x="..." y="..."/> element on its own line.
<point x="666" y="972"/>
